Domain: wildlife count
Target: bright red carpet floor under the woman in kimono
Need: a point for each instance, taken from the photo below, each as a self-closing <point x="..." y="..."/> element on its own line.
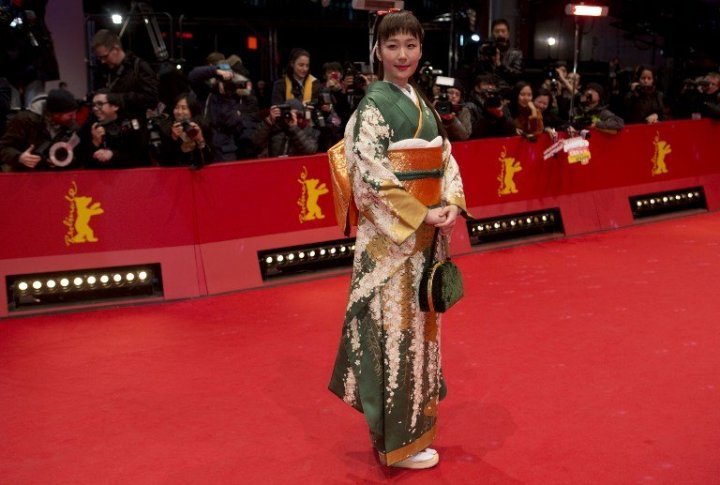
<point x="591" y="360"/>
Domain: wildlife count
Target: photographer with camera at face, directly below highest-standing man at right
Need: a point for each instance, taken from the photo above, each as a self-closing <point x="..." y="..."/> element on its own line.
<point x="490" y="117"/>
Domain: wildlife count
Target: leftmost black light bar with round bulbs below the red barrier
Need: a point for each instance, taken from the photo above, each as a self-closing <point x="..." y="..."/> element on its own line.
<point x="80" y="286"/>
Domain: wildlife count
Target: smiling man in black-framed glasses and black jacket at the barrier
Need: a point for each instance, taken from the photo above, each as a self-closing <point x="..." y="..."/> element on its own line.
<point x="117" y="141"/>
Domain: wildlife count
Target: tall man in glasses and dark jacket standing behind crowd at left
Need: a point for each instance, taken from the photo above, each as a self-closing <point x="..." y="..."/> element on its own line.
<point x="126" y="75"/>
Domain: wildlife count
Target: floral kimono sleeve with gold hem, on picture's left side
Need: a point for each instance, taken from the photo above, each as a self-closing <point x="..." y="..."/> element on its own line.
<point x="379" y="195"/>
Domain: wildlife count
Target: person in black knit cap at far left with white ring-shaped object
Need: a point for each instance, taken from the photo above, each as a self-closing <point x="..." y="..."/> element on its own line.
<point x="36" y="139"/>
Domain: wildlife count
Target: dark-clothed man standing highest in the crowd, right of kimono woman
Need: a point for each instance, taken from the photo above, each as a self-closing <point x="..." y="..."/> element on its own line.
<point x="497" y="56"/>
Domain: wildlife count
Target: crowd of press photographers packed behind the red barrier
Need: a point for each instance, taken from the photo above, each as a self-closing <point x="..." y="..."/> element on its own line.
<point x="217" y="112"/>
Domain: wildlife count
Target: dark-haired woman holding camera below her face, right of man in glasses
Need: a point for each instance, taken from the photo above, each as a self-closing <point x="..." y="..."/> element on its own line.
<point x="183" y="138"/>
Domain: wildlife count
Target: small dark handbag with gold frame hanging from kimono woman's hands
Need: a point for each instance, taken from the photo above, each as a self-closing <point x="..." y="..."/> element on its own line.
<point x="441" y="284"/>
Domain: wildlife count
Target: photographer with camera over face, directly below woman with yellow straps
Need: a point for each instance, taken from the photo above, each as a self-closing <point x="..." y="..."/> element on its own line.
<point x="286" y="131"/>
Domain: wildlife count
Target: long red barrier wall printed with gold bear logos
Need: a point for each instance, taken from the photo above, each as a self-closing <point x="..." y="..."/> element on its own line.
<point x="205" y="227"/>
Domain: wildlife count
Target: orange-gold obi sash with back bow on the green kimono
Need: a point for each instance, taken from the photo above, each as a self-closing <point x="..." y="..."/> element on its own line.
<point x="419" y="170"/>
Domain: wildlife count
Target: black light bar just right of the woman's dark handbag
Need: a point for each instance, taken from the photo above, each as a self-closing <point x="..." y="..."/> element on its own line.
<point x="515" y="226"/>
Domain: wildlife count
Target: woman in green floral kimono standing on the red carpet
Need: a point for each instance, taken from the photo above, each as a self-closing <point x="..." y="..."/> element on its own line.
<point x="405" y="185"/>
